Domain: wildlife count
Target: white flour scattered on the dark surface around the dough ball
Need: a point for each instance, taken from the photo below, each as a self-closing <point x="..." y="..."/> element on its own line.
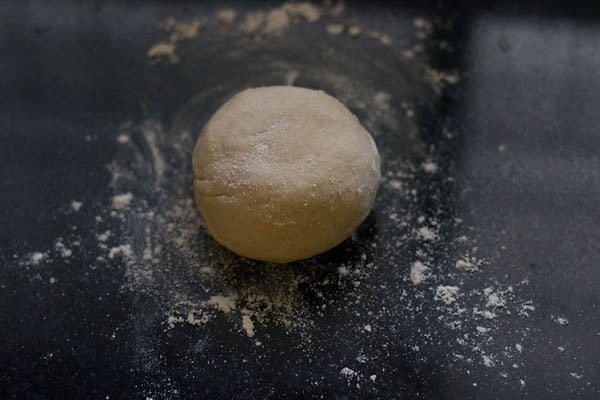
<point x="171" y="238"/>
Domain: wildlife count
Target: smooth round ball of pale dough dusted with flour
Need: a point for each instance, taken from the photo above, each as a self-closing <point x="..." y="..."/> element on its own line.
<point x="284" y="173"/>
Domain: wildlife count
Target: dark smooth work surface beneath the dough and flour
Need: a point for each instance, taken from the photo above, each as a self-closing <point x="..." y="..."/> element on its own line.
<point x="521" y="170"/>
